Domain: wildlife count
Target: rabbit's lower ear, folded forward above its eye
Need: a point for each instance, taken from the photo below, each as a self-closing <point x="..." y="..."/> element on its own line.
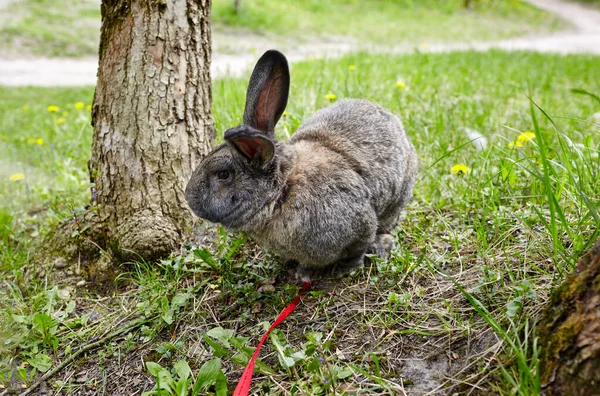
<point x="252" y="144"/>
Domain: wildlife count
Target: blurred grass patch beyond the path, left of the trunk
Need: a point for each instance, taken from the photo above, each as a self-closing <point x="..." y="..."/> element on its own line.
<point x="51" y="28"/>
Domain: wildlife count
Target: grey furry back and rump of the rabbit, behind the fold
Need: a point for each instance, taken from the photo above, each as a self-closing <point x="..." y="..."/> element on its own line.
<point x="374" y="144"/>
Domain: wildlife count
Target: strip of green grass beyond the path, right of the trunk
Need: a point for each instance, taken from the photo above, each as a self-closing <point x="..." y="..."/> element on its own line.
<point x="385" y="22"/>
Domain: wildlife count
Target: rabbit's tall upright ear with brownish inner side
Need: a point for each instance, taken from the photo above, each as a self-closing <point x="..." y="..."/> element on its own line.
<point x="267" y="93"/>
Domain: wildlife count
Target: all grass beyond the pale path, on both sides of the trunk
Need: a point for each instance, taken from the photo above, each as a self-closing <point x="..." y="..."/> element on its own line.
<point x="56" y="28"/>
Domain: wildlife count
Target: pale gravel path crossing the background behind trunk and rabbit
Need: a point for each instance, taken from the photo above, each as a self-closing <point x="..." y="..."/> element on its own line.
<point x="584" y="37"/>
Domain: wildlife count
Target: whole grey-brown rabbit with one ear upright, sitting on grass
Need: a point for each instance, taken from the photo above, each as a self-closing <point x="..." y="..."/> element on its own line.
<point x="327" y="197"/>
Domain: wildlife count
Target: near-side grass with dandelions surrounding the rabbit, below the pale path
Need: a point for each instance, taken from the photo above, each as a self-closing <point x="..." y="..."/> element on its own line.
<point x="453" y="310"/>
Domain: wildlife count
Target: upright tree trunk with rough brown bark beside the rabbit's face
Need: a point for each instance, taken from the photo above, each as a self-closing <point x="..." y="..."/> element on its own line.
<point x="151" y="119"/>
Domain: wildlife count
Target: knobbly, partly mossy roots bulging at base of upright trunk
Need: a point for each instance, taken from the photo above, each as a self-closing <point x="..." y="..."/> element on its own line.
<point x="88" y="247"/>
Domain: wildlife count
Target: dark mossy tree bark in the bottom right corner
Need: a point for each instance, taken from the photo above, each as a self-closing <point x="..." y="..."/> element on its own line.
<point x="570" y="333"/>
